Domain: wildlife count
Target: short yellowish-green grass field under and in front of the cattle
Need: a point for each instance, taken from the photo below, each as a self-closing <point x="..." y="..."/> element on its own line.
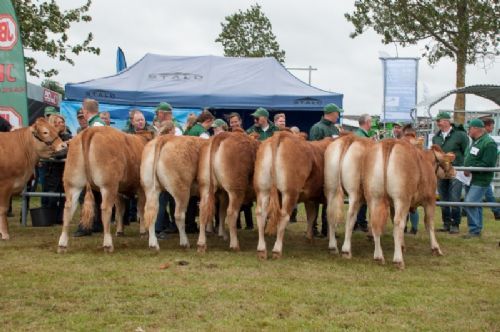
<point x="308" y="289"/>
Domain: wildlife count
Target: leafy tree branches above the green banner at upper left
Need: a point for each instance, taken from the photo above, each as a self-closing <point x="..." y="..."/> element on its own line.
<point x="44" y="28"/>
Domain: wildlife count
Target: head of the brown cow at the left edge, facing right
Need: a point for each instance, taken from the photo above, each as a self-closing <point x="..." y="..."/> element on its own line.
<point x="46" y="138"/>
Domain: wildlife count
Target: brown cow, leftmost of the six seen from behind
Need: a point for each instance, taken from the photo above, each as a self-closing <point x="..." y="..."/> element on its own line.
<point x="108" y="160"/>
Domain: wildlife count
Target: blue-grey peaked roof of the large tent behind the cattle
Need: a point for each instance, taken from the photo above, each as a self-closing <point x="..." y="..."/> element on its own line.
<point x="205" y="81"/>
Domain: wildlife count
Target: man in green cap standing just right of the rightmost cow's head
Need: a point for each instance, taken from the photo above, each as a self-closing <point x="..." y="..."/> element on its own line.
<point x="453" y="139"/>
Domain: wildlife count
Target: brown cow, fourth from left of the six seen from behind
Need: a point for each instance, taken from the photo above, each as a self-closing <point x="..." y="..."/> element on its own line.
<point x="289" y="165"/>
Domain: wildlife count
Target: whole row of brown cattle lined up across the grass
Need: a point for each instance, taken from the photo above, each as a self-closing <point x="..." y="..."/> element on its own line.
<point x="391" y="176"/>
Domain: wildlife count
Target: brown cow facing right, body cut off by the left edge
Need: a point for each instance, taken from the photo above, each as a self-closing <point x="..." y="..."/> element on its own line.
<point x="20" y="151"/>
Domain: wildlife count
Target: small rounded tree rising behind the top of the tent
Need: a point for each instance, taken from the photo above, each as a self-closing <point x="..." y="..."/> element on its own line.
<point x="249" y="33"/>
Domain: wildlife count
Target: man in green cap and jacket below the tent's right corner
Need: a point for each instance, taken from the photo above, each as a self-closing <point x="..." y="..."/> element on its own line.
<point x="325" y="128"/>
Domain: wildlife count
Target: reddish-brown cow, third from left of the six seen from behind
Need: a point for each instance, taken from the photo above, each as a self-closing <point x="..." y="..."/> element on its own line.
<point x="226" y="171"/>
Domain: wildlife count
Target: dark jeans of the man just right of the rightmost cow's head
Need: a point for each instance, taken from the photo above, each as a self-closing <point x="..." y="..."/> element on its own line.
<point x="450" y="190"/>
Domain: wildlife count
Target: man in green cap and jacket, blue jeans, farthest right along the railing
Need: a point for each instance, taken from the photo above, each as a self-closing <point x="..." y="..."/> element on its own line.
<point x="481" y="153"/>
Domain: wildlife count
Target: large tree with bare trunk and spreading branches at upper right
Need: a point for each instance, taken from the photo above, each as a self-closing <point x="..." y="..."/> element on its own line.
<point x="462" y="30"/>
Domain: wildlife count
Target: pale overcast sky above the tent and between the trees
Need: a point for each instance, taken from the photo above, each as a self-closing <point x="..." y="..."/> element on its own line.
<point x="312" y="32"/>
